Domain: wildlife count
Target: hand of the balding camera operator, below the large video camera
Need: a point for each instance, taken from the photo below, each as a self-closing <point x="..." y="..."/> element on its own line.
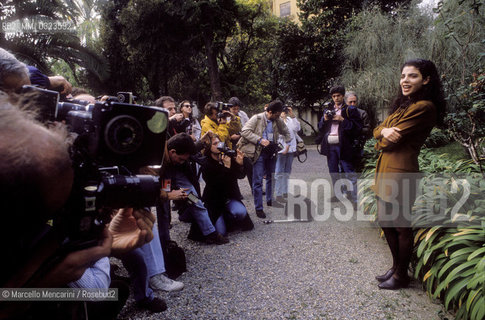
<point x="131" y="228"/>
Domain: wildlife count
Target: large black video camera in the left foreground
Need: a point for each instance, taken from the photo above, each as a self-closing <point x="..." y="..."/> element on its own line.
<point x="112" y="140"/>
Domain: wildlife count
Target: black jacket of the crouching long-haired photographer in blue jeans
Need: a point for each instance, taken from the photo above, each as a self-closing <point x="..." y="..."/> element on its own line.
<point x="221" y="185"/>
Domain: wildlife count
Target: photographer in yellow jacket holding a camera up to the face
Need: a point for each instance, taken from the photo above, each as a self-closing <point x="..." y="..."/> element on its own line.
<point x="215" y="120"/>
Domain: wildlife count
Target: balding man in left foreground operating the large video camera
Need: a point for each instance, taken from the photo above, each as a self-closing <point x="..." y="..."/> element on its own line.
<point x="36" y="178"/>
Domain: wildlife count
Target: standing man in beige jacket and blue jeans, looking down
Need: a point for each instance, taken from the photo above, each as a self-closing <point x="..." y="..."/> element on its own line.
<point x="258" y="141"/>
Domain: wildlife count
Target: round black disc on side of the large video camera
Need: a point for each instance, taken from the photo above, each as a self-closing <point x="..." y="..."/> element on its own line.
<point x="123" y="134"/>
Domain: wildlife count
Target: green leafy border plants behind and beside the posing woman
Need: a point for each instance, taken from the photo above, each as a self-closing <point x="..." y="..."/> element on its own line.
<point x="450" y="261"/>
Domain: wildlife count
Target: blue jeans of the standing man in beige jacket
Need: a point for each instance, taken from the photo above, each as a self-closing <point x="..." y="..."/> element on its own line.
<point x="264" y="165"/>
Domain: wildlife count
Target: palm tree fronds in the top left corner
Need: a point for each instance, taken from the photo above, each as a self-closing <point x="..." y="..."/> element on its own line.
<point x="59" y="42"/>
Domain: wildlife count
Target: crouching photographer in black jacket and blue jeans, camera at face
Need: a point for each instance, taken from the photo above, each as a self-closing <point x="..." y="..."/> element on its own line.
<point x="222" y="197"/>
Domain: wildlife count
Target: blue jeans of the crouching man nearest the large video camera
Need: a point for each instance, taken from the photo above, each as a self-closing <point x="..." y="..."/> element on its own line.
<point x="197" y="212"/>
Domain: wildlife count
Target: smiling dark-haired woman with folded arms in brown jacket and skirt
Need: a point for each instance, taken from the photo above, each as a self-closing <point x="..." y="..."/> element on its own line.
<point x="417" y="109"/>
